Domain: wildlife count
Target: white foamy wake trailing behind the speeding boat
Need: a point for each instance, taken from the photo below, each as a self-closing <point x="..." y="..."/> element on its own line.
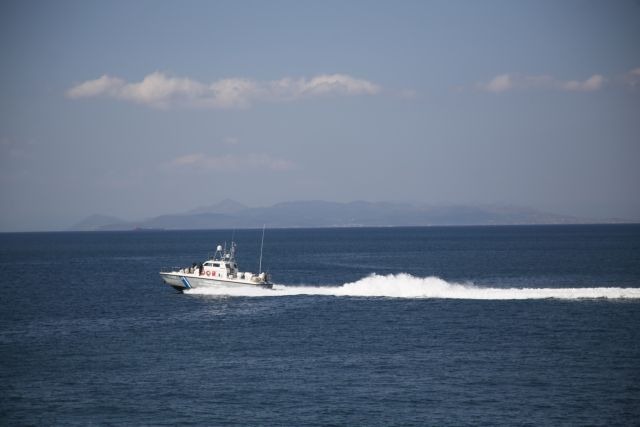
<point x="407" y="286"/>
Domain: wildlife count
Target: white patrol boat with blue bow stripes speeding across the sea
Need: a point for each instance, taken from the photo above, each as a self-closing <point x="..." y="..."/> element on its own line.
<point x="219" y="271"/>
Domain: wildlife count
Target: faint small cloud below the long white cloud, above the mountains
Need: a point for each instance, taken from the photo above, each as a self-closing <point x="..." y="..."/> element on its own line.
<point x="232" y="162"/>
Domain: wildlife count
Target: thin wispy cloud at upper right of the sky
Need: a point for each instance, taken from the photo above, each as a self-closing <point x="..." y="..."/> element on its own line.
<point x="507" y="82"/>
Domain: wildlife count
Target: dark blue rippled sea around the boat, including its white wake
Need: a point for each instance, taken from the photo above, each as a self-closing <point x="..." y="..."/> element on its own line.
<point x="527" y="325"/>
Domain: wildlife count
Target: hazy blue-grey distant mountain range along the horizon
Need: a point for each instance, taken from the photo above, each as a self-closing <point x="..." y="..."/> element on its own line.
<point x="231" y="214"/>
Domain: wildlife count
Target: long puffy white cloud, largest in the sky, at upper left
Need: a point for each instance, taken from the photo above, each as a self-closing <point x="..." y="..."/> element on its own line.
<point x="162" y="91"/>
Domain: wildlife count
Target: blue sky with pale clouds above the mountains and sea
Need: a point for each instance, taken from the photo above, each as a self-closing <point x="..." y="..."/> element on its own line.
<point x="141" y="108"/>
